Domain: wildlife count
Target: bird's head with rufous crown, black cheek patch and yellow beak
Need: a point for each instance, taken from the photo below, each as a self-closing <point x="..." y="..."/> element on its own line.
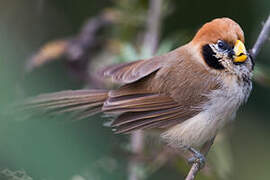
<point x="221" y="45"/>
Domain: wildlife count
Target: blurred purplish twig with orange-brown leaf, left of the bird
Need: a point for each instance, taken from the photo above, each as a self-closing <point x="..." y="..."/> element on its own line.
<point x="77" y="50"/>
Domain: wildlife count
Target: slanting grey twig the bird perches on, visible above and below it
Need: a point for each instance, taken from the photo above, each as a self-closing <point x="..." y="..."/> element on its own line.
<point x="262" y="38"/>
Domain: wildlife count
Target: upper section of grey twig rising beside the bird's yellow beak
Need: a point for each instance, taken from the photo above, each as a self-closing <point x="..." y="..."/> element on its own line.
<point x="263" y="37"/>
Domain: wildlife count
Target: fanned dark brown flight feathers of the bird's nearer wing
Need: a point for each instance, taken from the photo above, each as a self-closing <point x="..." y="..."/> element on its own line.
<point x="144" y="110"/>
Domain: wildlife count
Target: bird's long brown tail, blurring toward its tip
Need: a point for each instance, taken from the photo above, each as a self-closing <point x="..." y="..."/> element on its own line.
<point x="83" y="103"/>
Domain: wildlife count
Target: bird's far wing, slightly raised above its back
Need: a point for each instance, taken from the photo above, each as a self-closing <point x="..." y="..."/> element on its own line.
<point x="133" y="71"/>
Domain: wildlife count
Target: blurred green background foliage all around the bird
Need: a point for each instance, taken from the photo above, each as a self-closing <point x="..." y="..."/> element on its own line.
<point x="58" y="149"/>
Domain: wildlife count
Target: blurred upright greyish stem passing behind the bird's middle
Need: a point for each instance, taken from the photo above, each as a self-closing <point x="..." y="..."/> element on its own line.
<point x="151" y="42"/>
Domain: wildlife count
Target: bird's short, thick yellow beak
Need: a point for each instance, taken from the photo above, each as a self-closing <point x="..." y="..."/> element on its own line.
<point x="240" y="52"/>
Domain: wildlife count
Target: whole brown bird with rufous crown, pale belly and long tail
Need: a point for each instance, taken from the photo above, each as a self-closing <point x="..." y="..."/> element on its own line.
<point x="189" y="94"/>
